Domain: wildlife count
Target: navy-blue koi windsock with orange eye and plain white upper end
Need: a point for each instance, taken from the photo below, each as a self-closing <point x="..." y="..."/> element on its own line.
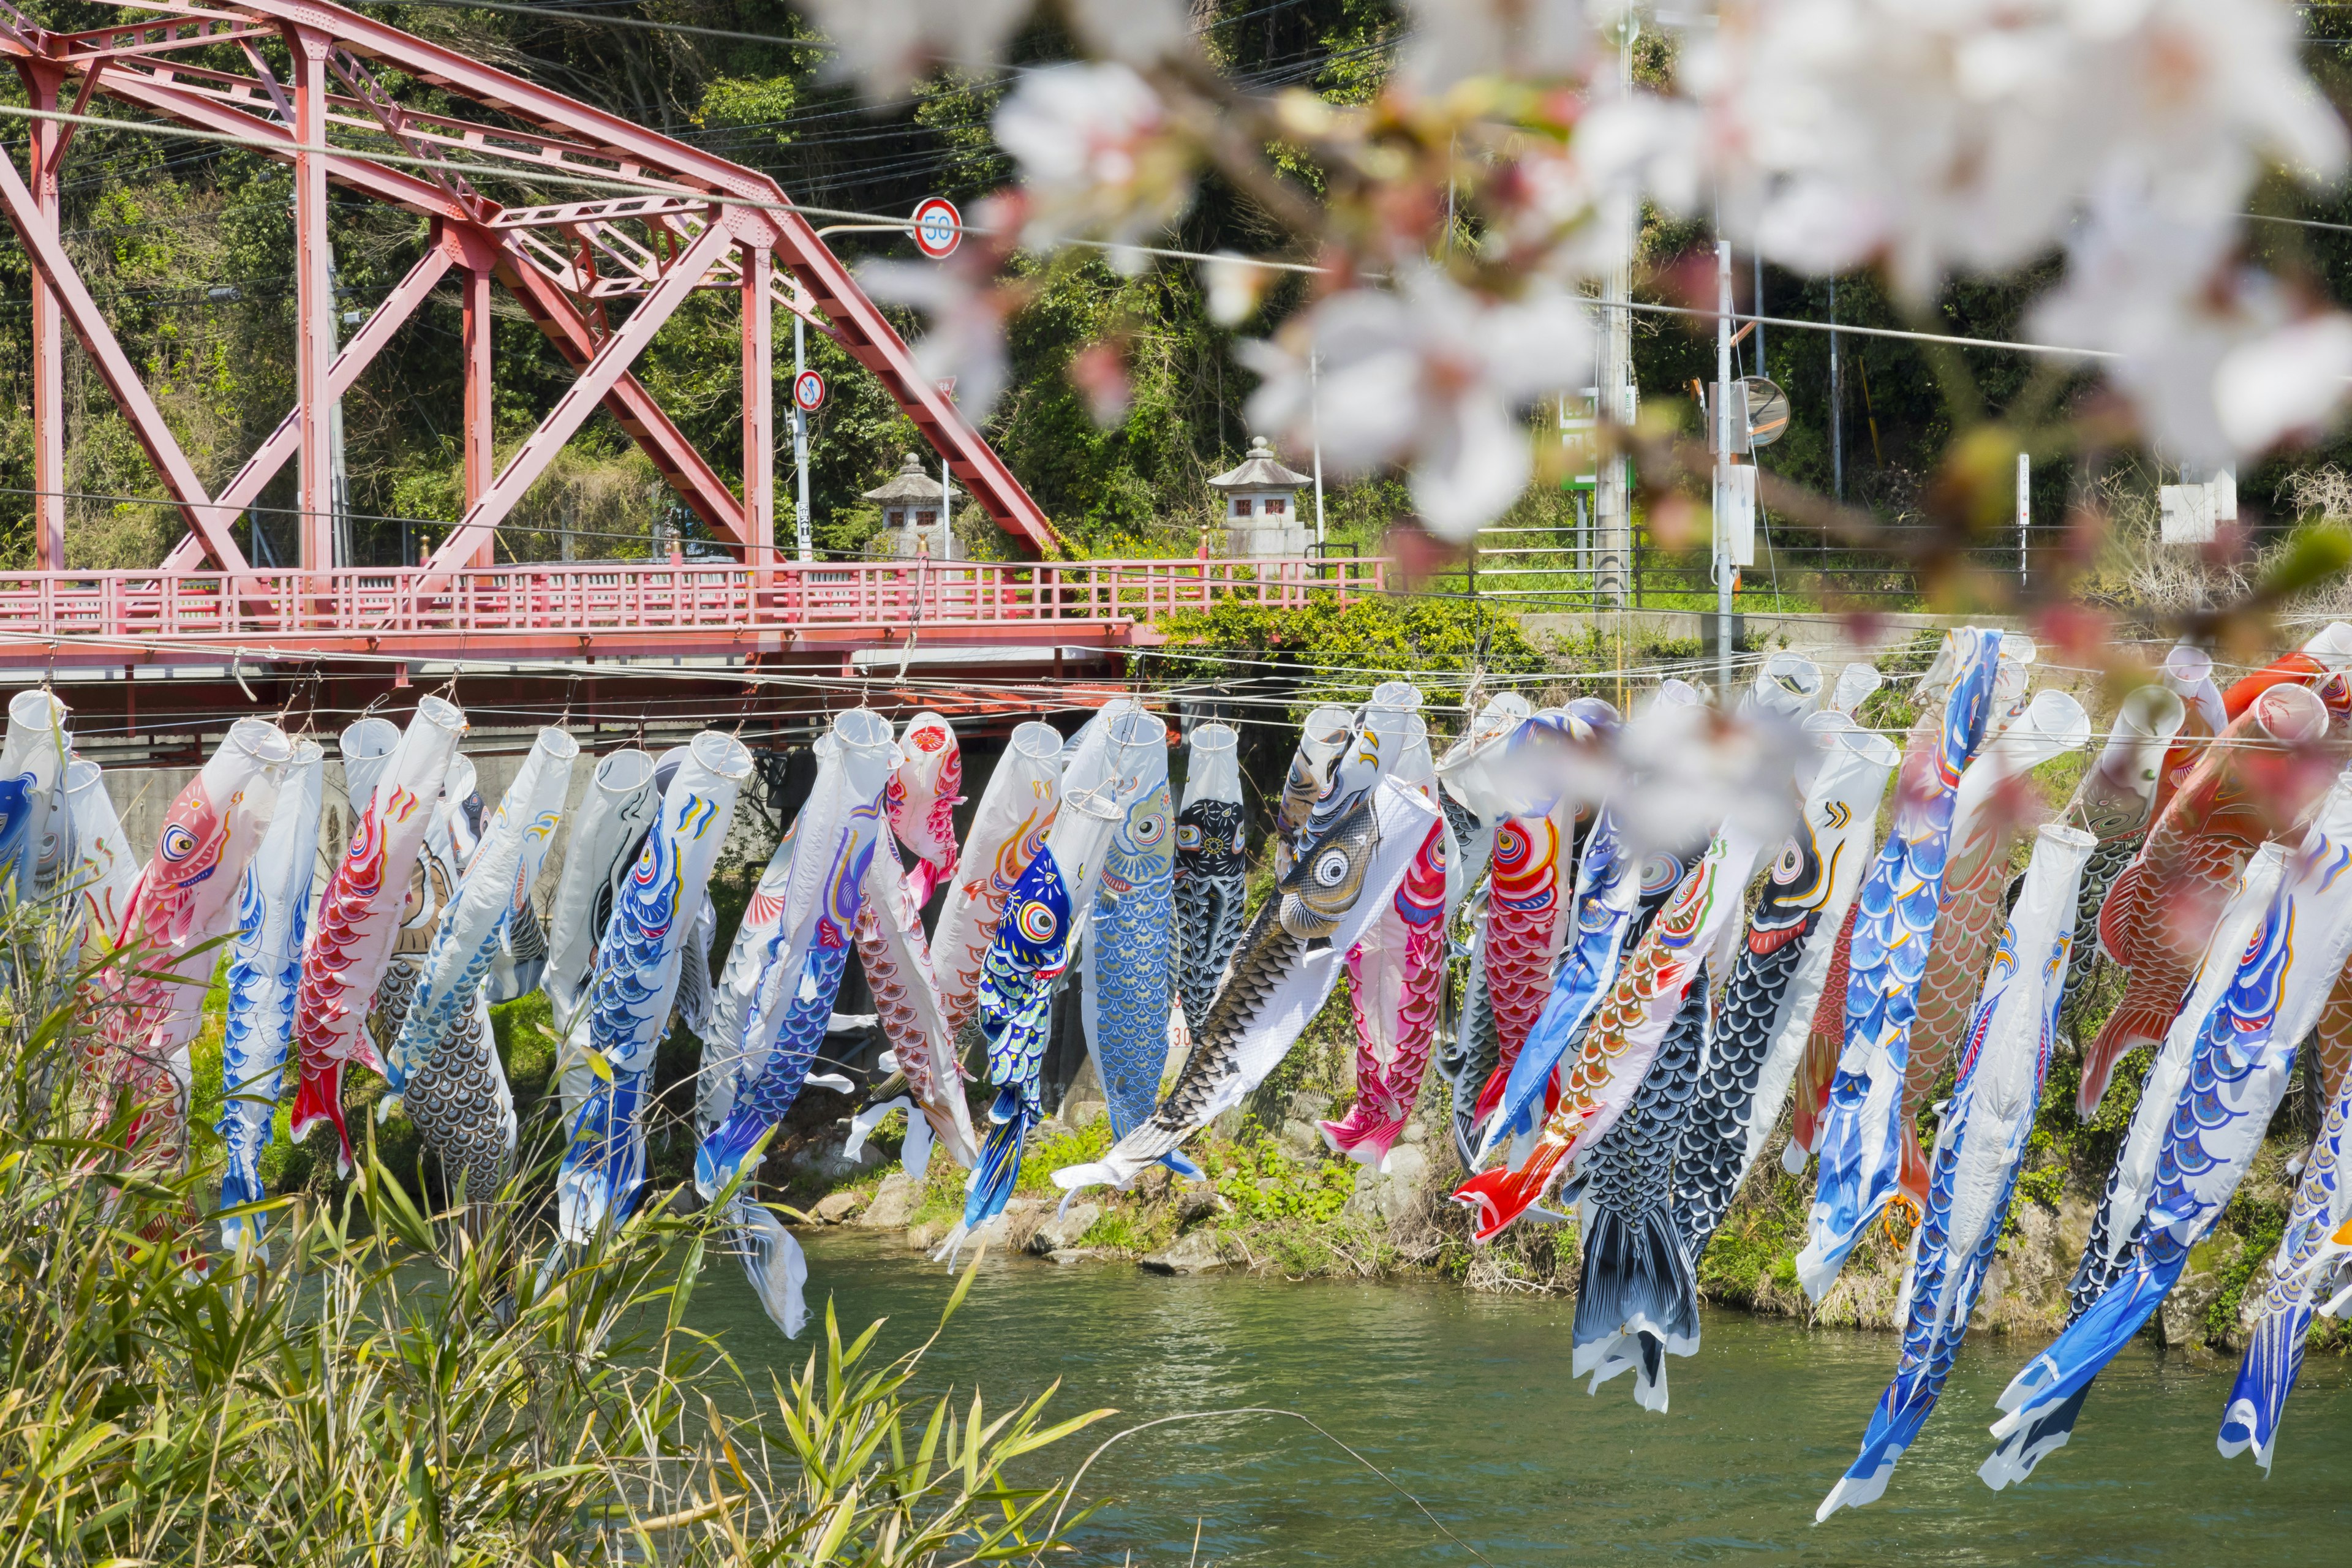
<point x="1048" y="913"/>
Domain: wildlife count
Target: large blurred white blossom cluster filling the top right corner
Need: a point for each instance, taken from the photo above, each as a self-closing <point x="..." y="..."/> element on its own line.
<point x="1967" y="135"/>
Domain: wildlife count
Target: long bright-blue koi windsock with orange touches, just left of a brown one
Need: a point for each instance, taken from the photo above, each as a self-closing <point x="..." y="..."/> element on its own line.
<point x="1862" y="1148"/>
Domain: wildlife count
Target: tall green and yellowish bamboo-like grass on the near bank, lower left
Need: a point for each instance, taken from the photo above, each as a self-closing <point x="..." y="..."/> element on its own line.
<point x="394" y="1386"/>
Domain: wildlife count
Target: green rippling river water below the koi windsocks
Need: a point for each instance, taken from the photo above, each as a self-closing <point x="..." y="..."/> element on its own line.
<point x="1466" y="1402"/>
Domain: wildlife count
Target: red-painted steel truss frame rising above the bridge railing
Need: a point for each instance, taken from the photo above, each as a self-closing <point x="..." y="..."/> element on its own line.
<point x="761" y="250"/>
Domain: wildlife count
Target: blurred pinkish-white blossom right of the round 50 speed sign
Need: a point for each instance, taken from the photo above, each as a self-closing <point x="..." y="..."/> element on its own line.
<point x="1097" y="159"/>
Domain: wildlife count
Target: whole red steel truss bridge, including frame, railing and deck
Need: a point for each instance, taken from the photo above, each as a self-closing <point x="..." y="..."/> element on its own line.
<point x="323" y="88"/>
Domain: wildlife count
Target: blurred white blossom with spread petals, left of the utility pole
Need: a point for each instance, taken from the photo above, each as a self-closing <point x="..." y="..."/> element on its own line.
<point x="1431" y="377"/>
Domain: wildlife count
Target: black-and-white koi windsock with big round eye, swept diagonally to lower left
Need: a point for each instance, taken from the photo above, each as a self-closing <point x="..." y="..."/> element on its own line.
<point x="1349" y="871"/>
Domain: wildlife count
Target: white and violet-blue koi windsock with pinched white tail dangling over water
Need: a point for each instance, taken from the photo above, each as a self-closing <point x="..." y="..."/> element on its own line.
<point x="782" y="981"/>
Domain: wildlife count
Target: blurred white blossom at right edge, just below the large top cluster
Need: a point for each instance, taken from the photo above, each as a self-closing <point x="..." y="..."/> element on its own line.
<point x="2217" y="356"/>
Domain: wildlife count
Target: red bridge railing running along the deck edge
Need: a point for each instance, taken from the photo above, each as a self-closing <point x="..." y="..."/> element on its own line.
<point x="627" y="608"/>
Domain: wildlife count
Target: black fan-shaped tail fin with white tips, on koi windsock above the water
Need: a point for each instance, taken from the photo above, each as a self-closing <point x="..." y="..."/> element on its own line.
<point x="1636" y="1304"/>
